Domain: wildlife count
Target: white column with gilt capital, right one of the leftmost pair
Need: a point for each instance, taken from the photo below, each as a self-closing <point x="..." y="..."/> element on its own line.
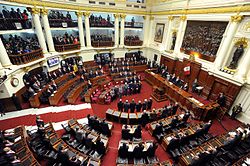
<point x="47" y="30"/>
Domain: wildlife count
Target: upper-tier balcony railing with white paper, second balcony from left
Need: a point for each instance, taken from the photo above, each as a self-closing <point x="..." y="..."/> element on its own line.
<point x="64" y="23"/>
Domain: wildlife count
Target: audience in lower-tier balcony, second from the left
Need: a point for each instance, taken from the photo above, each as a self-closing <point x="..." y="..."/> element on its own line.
<point x="65" y="39"/>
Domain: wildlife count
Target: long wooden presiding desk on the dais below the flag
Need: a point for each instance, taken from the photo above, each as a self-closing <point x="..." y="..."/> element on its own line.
<point x="185" y="99"/>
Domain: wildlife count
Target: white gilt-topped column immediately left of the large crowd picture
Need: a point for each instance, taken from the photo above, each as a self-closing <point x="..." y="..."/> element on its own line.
<point x="180" y="33"/>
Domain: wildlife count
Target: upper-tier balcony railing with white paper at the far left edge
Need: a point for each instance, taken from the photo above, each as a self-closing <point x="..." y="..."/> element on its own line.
<point x="14" y="24"/>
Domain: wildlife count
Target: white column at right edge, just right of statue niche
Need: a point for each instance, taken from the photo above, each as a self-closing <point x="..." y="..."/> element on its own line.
<point x="244" y="66"/>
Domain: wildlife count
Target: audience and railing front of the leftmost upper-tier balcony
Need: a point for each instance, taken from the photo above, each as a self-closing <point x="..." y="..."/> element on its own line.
<point x="8" y="19"/>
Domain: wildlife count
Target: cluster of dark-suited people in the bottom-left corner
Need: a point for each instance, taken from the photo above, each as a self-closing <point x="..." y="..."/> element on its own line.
<point x="8" y="155"/>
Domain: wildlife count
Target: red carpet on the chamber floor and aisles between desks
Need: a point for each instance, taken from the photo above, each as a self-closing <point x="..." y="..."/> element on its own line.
<point x="99" y="110"/>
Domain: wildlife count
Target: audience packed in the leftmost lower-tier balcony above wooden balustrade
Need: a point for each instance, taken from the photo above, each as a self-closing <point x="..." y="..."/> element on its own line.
<point x="16" y="45"/>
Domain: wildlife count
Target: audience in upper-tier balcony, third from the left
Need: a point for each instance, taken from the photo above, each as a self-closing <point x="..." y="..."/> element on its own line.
<point x="99" y="21"/>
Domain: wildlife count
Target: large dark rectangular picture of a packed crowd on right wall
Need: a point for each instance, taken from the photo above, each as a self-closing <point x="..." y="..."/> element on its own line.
<point x="204" y="38"/>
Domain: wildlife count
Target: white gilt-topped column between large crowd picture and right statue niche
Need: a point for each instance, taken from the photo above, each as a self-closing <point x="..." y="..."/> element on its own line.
<point x="224" y="47"/>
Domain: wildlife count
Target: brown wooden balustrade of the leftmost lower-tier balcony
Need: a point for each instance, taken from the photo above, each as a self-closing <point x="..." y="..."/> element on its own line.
<point x="26" y="58"/>
